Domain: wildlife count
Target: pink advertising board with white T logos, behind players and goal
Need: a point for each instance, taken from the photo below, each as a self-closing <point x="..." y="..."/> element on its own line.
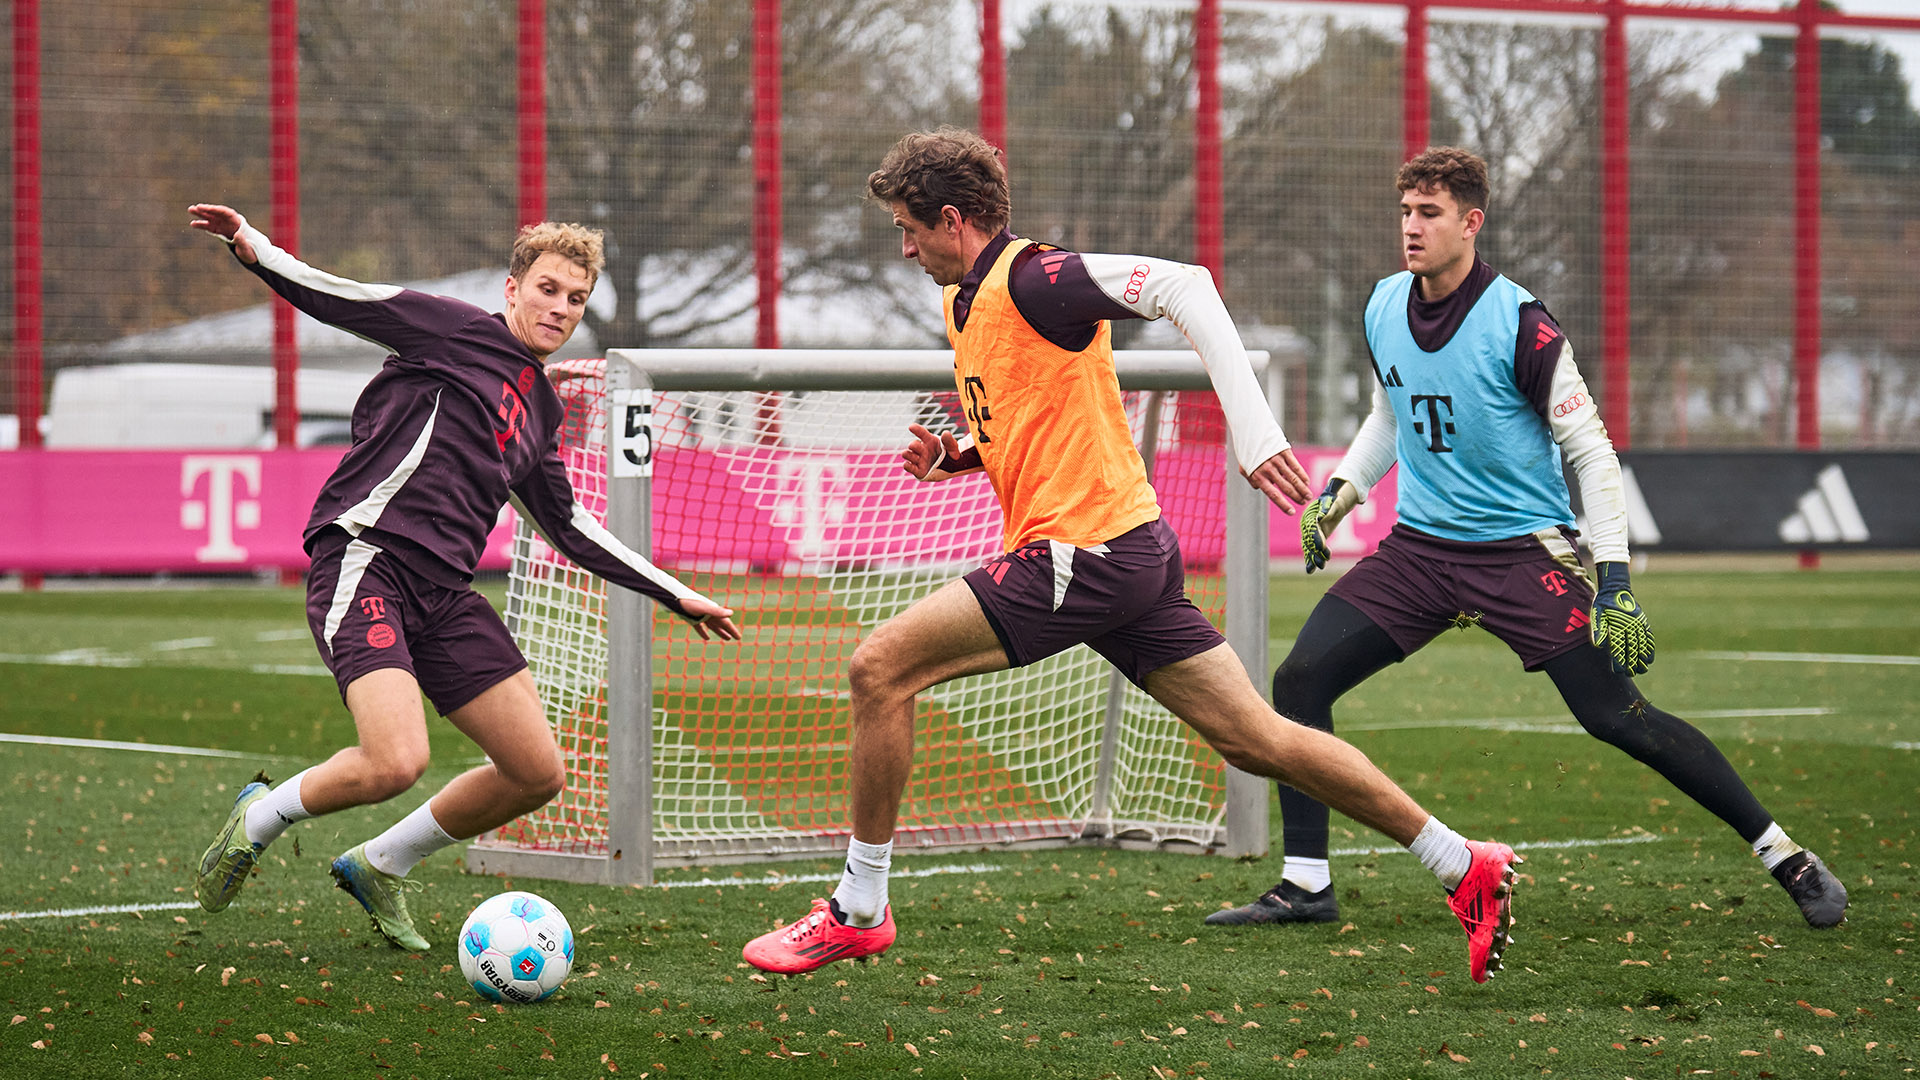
<point x="141" y="512"/>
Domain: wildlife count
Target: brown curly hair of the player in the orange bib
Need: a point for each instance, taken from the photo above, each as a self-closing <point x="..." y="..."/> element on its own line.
<point x="948" y="166"/>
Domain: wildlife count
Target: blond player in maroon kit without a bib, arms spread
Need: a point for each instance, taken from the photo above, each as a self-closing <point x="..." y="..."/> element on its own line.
<point x="458" y="422"/>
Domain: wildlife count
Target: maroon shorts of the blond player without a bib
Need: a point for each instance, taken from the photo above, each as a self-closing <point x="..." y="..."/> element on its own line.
<point x="370" y="612"/>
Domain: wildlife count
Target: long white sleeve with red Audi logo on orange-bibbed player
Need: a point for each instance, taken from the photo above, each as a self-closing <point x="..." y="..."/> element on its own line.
<point x="1186" y="297"/>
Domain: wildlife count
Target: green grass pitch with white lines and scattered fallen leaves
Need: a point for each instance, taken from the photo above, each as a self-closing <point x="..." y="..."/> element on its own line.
<point x="1648" y="941"/>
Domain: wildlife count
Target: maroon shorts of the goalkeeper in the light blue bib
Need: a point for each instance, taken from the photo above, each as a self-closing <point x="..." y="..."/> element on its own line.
<point x="1531" y="593"/>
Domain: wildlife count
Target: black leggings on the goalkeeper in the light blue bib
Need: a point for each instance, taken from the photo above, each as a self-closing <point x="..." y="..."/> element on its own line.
<point x="1339" y="649"/>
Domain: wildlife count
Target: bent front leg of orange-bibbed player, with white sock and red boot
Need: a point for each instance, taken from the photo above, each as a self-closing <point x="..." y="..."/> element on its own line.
<point x="938" y="639"/>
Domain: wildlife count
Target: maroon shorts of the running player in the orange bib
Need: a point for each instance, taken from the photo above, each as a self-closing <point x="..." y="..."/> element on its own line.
<point x="1124" y="599"/>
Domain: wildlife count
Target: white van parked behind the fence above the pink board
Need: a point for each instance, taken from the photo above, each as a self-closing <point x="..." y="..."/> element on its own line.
<point x="193" y="406"/>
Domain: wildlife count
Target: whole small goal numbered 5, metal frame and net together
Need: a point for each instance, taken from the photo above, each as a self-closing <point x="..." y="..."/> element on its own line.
<point x="769" y="479"/>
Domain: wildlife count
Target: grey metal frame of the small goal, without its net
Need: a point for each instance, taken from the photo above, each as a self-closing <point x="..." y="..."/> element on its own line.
<point x="633" y="852"/>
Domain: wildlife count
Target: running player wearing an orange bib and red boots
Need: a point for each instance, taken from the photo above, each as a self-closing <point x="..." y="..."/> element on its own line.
<point x="1088" y="554"/>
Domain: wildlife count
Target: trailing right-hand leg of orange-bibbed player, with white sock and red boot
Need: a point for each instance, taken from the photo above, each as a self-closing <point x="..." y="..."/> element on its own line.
<point x="1214" y="695"/>
